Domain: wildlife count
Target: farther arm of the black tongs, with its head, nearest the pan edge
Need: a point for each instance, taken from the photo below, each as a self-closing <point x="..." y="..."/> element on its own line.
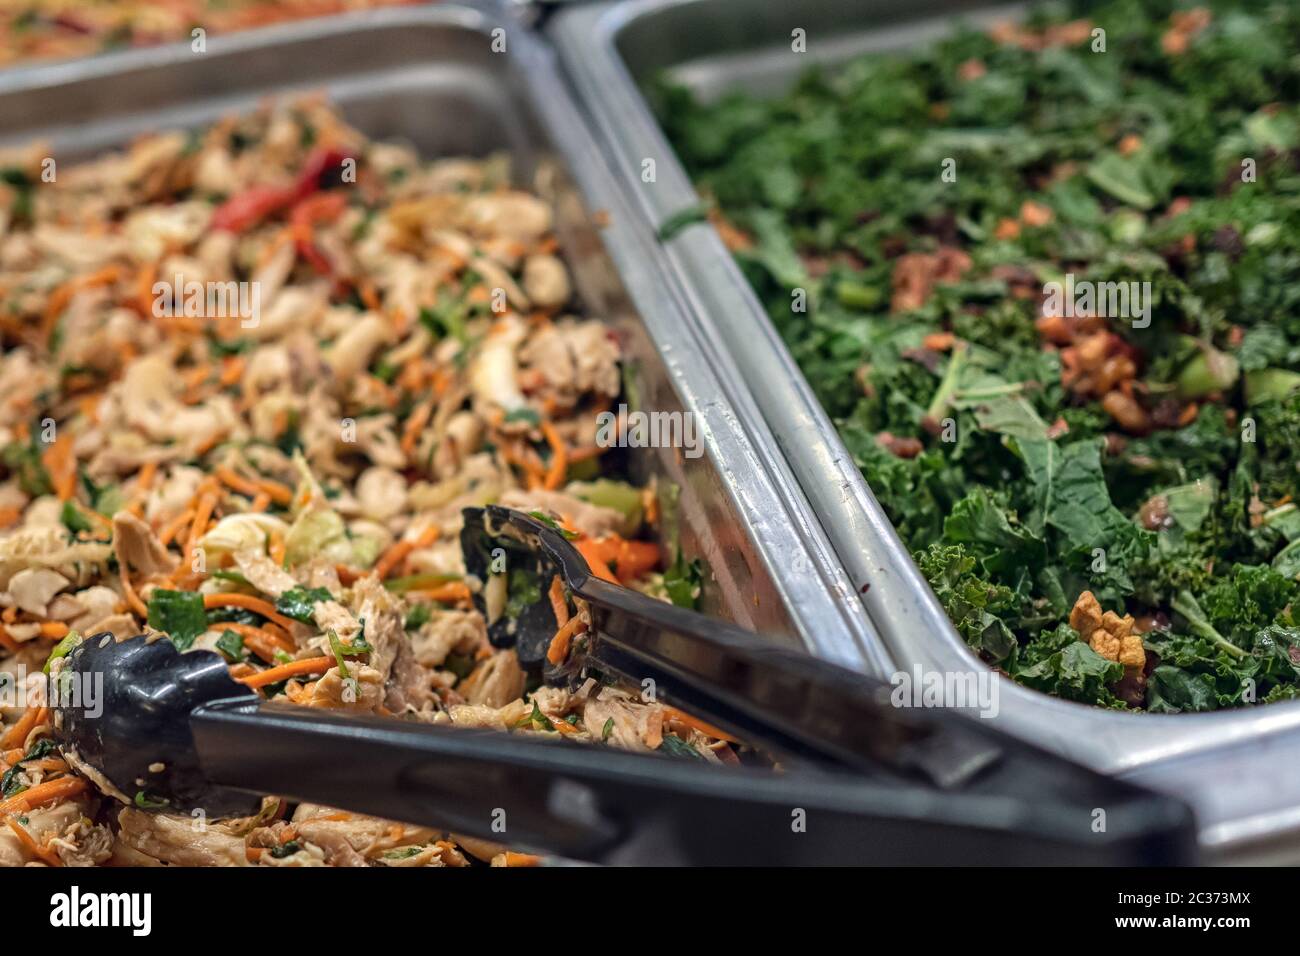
<point x="785" y="702"/>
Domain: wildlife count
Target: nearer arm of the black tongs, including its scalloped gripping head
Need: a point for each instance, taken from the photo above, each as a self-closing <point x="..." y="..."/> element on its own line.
<point x="180" y="734"/>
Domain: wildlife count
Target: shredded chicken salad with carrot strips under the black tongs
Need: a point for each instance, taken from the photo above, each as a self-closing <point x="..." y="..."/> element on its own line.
<point x="250" y="378"/>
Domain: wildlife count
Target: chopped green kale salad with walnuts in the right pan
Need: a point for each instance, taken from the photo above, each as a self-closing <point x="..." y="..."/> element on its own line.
<point x="1046" y="279"/>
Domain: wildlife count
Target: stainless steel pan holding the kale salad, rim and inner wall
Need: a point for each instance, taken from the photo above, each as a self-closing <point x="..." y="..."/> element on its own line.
<point x="1241" y="769"/>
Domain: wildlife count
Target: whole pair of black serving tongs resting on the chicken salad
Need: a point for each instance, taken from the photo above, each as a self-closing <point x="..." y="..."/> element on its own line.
<point x="860" y="780"/>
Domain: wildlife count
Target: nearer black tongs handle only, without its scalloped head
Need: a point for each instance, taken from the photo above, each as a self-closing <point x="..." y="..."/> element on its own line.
<point x="604" y="806"/>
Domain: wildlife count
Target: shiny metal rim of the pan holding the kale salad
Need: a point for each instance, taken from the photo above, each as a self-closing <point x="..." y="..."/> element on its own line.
<point x="899" y="600"/>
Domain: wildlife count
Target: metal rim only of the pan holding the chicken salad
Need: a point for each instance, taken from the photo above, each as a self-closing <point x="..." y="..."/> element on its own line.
<point x="749" y="473"/>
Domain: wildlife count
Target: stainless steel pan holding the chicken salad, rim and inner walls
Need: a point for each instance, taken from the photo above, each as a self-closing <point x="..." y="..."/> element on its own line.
<point x="431" y="77"/>
